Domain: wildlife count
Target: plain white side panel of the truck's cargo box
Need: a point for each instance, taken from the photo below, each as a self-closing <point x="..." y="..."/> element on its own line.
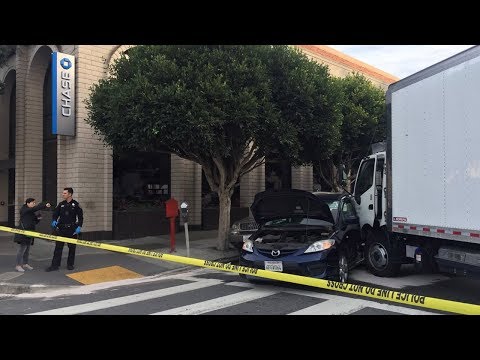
<point x="436" y="149"/>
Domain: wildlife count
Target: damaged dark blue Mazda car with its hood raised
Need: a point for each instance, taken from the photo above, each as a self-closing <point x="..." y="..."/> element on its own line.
<point x="298" y="234"/>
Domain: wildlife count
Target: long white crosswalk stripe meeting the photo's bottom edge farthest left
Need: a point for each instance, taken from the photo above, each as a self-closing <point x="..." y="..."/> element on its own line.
<point x="123" y="300"/>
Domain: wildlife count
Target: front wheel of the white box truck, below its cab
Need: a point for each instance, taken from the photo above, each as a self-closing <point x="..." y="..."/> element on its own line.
<point x="379" y="253"/>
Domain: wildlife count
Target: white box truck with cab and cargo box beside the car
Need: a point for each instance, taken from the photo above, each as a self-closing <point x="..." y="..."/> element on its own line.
<point x="419" y="201"/>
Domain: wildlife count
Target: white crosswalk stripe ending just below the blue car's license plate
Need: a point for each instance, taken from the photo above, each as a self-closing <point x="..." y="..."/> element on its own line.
<point x="218" y="303"/>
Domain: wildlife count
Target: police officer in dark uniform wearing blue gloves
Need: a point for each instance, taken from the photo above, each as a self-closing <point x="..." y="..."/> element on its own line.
<point x="67" y="221"/>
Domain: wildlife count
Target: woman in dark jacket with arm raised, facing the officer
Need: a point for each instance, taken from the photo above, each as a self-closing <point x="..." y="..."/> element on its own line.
<point x="28" y="220"/>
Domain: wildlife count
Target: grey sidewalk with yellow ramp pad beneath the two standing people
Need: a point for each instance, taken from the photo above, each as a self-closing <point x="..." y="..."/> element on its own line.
<point x="202" y="246"/>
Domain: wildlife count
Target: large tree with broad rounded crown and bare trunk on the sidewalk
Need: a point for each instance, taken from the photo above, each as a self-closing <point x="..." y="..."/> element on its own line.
<point x="223" y="107"/>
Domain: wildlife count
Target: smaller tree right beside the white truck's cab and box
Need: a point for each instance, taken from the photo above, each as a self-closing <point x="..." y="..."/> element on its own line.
<point x="363" y="109"/>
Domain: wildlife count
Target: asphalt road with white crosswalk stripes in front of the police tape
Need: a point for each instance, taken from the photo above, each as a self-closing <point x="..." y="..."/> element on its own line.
<point x="195" y="292"/>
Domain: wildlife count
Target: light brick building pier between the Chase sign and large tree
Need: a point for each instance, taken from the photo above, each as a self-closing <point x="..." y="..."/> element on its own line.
<point x="84" y="162"/>
